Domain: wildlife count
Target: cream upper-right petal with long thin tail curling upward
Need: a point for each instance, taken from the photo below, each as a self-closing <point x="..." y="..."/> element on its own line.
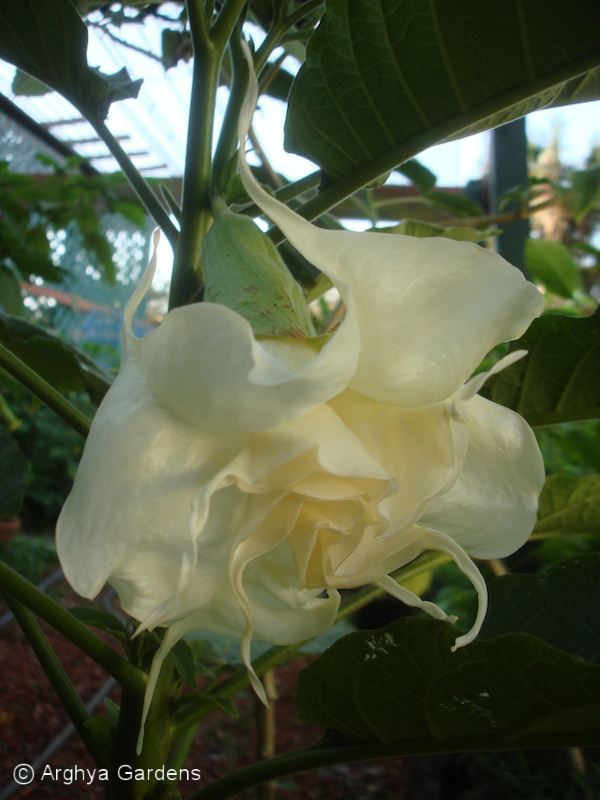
<point x="428" y="310"/>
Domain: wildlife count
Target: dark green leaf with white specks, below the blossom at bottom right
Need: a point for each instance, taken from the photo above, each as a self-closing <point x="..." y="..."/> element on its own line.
<point x="403" y="683"/>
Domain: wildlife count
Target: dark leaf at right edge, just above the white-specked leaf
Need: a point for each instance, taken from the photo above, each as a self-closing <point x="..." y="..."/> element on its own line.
<point x="560" y="605"/>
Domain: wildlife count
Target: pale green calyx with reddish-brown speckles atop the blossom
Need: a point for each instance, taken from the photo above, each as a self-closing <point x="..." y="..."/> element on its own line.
<point x="244" y="271"/>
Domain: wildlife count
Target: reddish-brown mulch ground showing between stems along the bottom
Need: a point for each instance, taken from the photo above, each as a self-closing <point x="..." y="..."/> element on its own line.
<point x="30" y="716"/>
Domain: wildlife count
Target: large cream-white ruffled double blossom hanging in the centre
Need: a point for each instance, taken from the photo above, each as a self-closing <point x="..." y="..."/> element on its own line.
<point x="236" y="485"/>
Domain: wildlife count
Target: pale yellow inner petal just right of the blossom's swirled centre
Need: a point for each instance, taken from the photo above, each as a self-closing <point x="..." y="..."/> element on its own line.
<point x="422" y="448"/>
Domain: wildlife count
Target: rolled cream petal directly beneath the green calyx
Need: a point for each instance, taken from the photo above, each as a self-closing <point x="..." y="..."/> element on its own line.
<point x="204" y="365"/>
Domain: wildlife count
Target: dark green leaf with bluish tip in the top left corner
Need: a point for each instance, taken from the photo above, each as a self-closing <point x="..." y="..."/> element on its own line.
<point x="48" y="40"/>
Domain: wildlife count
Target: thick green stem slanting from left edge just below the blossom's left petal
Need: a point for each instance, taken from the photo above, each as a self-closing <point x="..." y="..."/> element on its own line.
<point x="26" y="593"/>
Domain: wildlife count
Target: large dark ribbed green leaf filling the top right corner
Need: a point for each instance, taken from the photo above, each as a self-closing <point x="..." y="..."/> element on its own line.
<point x="383" y="81"/>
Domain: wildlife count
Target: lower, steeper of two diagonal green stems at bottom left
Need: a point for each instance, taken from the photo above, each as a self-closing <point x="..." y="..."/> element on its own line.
<point x="57" y="677"/>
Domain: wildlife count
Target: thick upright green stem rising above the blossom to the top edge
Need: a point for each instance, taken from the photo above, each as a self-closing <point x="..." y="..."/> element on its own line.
<point x="196" y="213"/>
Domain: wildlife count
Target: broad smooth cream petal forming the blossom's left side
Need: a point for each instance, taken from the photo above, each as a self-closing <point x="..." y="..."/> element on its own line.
<point x="131" y="500"/>
